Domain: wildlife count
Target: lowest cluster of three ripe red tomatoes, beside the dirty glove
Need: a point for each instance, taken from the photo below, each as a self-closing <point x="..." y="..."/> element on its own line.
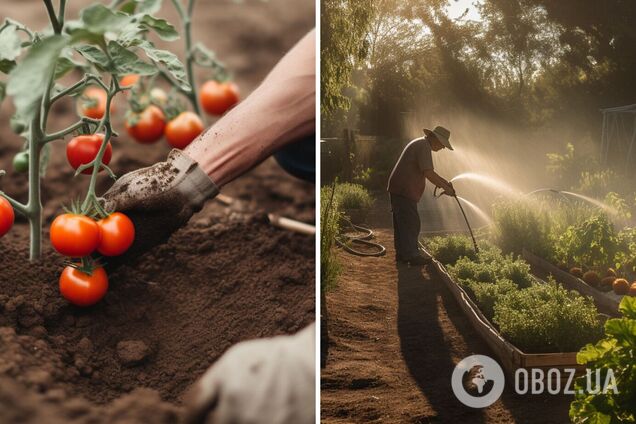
<point x="79" y="236"/>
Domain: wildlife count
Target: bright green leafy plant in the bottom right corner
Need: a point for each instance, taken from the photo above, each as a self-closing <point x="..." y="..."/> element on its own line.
<point x="615" y="352"/>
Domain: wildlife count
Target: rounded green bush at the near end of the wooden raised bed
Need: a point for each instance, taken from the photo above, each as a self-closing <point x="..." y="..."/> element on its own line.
<point x="547" y="318"/>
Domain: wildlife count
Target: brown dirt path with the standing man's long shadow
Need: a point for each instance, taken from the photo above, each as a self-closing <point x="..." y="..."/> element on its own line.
<point x="396" y="334"/>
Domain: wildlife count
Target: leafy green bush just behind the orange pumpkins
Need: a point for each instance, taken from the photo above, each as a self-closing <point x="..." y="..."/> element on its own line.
<point x="592" y="242"/>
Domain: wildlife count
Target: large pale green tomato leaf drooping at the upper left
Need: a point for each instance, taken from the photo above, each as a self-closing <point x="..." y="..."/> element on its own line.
<point x="29" y="79"/>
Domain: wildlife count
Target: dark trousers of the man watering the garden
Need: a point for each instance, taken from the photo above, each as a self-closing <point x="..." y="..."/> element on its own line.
<point x="406" y="227"/>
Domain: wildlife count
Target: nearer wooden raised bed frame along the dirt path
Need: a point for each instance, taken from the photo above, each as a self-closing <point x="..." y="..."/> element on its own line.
<point x="511" y="357"/>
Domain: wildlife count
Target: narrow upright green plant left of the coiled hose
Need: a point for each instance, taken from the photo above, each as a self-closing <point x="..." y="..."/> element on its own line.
<point x="330" y="216"/>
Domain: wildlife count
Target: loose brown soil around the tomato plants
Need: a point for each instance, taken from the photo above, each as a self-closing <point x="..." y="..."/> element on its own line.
<point x="226" y="277"/>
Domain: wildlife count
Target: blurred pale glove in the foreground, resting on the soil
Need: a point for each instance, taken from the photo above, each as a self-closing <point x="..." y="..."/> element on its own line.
<point x="260" y="381"/>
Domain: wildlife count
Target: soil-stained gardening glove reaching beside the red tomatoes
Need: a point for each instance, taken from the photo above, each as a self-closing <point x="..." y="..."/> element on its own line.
<point x="159" y="200"/>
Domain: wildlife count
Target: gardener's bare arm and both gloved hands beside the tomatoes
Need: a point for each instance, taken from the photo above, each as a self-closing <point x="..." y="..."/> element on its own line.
<point x="262" y="381"/>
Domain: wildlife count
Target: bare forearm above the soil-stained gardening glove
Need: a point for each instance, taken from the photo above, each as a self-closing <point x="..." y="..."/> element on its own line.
<point x="279" y="111"/>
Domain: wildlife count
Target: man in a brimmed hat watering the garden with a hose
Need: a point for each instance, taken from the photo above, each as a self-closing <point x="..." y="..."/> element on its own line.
<point x="406" y="186"/>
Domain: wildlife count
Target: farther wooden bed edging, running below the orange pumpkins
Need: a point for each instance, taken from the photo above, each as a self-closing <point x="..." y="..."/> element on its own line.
<point x="605" y="302"/>
